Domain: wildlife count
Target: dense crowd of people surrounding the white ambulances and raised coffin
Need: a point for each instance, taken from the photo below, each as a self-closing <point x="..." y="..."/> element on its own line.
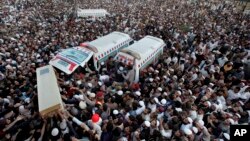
<point x="198" y="88"/>
